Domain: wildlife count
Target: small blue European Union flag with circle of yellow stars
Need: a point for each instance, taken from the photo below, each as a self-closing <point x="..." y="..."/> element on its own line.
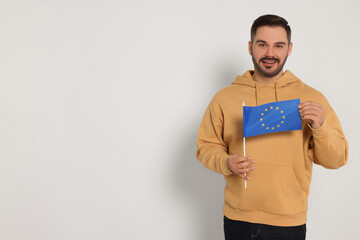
<point x="272" y="117"/>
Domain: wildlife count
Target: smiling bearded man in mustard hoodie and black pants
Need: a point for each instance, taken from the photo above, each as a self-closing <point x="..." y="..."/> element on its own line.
<point x="278" y="166"/>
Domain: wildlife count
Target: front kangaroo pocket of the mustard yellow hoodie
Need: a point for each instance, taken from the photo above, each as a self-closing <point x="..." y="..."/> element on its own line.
<point x="271" y="189"/>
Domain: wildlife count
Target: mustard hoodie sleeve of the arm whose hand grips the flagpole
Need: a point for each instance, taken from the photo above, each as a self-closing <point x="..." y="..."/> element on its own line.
<point x="212" y="151"/>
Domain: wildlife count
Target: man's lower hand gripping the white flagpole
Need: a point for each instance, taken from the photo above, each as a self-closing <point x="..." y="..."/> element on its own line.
<point x="240" y="165"/>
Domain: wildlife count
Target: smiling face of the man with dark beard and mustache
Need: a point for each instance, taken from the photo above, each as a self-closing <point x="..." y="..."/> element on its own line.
<point x="269" y="50"/>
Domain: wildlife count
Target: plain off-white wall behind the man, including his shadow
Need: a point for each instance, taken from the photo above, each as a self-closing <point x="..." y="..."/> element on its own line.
<point x="100" y="103"/>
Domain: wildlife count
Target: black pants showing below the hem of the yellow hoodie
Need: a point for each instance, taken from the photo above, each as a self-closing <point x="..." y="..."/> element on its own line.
<point x="239" y="230"/>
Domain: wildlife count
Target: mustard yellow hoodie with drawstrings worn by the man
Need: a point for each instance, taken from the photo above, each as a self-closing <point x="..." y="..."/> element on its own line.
<point x="277" y="192"/>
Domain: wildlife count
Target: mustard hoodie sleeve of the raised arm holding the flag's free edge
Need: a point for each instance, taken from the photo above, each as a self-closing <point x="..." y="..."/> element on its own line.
<point x="329" y="147"/>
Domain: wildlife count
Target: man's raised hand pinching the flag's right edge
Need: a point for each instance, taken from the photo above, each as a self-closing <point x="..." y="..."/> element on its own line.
<point x="313" y="112"/>
